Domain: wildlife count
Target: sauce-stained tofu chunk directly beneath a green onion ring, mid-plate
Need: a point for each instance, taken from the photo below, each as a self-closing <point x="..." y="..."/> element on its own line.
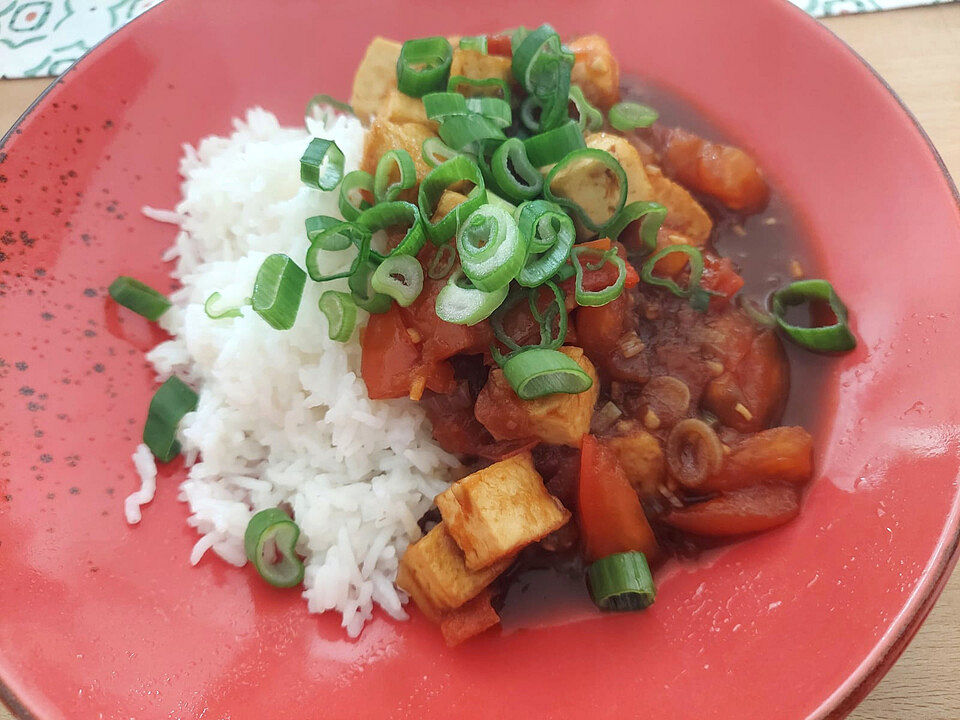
<point x="558" y="419"/>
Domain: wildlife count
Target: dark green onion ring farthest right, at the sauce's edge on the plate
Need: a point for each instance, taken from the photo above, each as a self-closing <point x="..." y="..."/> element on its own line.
<point x="827" y="338"/>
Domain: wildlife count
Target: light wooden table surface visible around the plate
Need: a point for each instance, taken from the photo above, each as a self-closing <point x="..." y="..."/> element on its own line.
<point x="918" y="52"/>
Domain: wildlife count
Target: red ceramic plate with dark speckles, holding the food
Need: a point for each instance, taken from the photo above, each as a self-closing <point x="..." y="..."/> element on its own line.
<point x="100" y="620"/>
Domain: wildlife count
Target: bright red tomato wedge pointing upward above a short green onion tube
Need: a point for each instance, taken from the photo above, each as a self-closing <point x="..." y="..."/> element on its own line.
<point x="611" y="516"/>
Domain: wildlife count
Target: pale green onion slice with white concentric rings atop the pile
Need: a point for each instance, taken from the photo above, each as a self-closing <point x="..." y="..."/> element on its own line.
<point x="490" y="247"/>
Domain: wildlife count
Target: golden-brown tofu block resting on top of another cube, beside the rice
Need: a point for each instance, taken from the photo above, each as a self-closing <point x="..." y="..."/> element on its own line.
<point x="498" y="510"/>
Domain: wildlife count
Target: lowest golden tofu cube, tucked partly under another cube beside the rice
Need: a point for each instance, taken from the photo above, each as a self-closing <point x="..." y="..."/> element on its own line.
<point x="434" y="572"/>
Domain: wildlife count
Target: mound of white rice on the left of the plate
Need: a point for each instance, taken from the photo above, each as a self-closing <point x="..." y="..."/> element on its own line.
<point x="283" y="418"/>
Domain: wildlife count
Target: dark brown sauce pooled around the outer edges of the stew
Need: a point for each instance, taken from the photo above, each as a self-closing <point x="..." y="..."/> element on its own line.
<point x="544" y="591"/>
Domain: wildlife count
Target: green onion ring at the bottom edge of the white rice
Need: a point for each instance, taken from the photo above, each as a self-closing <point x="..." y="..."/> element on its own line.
<point x="270" y="543"/>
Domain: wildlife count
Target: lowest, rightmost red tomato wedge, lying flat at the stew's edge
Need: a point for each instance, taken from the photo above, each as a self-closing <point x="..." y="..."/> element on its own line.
<point x="739" y="512"/>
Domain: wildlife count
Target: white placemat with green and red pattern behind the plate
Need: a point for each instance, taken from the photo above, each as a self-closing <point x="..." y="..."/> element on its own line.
<point x="41" y="38"/>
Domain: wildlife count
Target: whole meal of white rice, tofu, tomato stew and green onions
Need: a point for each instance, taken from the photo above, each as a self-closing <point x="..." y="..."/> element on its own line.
<point x="490" y="325"/>
